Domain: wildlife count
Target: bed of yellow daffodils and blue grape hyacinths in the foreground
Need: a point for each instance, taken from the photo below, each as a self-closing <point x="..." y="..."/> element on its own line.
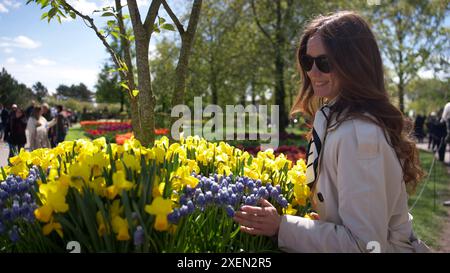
<point x="176" y="197"/>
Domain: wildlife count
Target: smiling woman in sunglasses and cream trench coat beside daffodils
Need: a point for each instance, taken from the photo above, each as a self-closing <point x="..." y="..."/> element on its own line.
<point x="360" y="159"/>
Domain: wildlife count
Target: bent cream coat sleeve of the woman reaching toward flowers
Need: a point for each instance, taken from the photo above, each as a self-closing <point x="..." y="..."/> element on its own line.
<point x="362" y="205"/>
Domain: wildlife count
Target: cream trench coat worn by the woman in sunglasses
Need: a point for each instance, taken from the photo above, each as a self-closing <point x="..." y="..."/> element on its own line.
<point x="364" y="200"/>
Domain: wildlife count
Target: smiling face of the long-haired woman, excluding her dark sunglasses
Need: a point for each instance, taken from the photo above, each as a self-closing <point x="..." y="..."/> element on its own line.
<point x="323" y="84"/>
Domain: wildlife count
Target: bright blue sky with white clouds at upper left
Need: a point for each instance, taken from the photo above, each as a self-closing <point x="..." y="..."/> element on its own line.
<point x="32" y="50"/>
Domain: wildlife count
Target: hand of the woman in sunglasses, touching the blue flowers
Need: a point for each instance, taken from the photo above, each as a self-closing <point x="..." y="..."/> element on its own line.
<point x="263" y="220"/>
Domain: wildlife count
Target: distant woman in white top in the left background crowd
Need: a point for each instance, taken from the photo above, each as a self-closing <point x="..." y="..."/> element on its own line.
<point x="37" y="130"/>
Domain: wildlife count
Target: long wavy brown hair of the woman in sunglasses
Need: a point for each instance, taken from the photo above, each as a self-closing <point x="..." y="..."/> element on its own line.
<point x="356" y="64"/>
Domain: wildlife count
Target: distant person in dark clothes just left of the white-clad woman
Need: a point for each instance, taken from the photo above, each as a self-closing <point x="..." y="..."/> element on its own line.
<point x="18" y="124"/>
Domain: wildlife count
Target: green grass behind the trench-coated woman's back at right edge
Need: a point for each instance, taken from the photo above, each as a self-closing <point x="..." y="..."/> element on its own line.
<point x="429" y="213"/>
